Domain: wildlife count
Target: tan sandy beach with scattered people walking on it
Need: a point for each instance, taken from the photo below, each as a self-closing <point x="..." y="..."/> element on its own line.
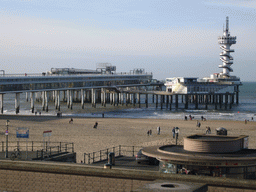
<point x="115" y="131"/>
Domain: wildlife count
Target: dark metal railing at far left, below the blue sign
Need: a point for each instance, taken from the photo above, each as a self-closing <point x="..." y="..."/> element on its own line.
<point x="38" y="146"/>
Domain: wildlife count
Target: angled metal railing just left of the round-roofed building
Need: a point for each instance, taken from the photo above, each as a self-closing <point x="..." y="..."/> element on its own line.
<point x="102" y="155"/>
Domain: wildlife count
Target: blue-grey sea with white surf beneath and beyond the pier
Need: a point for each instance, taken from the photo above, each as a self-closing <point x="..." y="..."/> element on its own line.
<point x="246" y="109"/>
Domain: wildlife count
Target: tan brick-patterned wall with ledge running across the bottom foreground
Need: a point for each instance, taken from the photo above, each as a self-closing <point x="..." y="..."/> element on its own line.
<point x="41" y="176"/>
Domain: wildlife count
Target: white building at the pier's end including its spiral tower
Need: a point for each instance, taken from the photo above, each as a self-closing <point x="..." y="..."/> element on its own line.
<point x="215" y="86"/>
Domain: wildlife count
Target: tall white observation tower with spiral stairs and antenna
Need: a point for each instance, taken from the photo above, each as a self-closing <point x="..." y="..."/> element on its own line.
<point x="225" y="42"/>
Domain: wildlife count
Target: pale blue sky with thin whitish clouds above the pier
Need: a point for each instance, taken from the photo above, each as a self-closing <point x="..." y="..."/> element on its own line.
<point x="169" y="38"/>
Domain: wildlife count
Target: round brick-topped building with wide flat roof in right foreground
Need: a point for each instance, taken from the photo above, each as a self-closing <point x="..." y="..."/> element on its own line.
<point x="210" y="155"/>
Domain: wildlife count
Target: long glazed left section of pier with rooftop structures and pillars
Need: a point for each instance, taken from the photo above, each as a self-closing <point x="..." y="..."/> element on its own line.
<point x="100" y="86"/>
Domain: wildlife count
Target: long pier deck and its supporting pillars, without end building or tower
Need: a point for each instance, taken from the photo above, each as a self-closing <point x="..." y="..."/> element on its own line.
<point x="135" y="90"/>
